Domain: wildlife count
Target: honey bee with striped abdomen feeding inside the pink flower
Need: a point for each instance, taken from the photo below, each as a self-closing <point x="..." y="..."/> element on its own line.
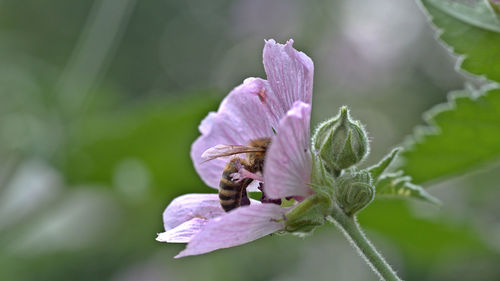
<point x="233" y="185"/>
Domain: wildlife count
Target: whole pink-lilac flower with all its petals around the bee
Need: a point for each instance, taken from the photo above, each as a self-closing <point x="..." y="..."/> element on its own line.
<point x="253" y="110"/>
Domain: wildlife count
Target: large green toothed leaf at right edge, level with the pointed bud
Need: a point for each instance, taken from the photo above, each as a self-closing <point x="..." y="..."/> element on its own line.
<point x="463" y="134"/>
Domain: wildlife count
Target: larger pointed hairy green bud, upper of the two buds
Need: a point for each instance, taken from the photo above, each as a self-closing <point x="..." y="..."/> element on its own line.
<point x="341" y="142"/>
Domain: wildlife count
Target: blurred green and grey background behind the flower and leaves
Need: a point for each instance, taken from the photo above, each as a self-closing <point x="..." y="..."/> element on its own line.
<point x="100" y="102"/>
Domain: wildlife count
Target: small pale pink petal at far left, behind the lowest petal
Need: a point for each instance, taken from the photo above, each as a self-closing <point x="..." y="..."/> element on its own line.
<point x="187" y="207"/>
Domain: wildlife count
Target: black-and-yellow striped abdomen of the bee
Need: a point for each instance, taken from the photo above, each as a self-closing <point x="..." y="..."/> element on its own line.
<point x="233" y="194"/>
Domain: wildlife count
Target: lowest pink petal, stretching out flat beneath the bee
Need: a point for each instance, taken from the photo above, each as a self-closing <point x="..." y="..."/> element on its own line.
<point x="237" y="227"/>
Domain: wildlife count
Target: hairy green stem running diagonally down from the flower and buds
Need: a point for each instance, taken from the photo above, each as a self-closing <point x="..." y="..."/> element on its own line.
<point x="365" y="248"/>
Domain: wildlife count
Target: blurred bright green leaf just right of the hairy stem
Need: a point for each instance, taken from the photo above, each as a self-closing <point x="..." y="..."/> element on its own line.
<point x="425" y="241"/>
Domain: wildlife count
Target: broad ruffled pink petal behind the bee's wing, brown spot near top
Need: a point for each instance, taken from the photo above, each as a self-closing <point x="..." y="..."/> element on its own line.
<point x="241" y="117"/>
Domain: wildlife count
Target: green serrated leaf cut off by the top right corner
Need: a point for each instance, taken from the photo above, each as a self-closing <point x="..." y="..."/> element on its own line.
<point x="472" y="30"/>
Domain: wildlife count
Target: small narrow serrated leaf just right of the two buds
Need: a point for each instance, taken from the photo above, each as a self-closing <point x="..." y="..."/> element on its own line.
<point x="395" y="184"/>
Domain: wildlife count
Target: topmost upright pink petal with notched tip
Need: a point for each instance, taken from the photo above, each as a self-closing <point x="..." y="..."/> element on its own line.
<point x="290" y="74"/>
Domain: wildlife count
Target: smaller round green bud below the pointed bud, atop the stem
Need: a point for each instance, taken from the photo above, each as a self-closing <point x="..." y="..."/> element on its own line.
<point x="354" y="191"/>
